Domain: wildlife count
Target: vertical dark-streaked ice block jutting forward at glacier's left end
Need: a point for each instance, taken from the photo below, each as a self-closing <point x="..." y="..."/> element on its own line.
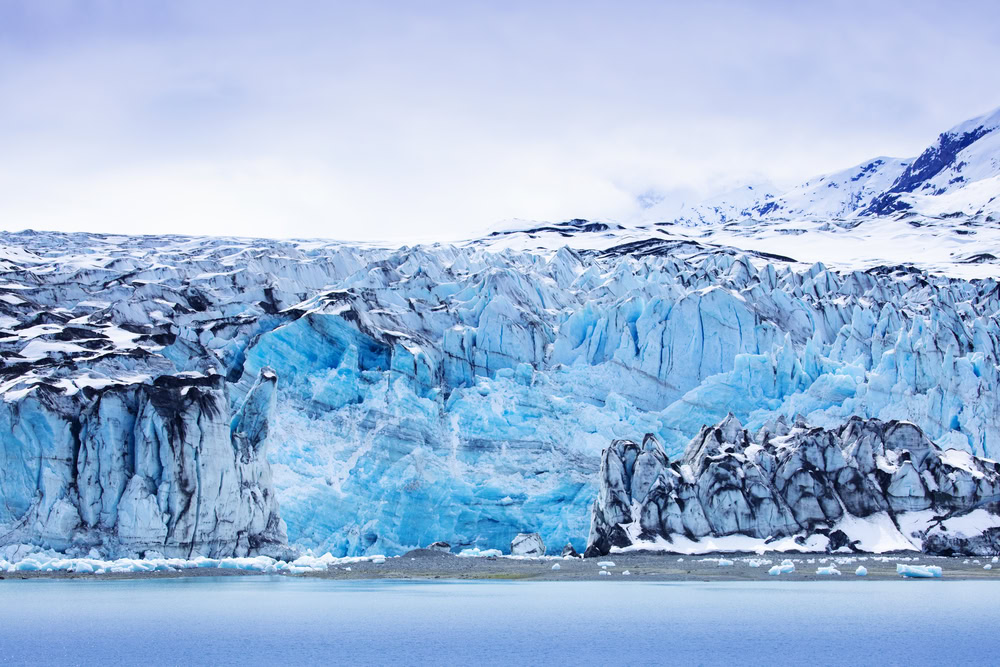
<point x="148" y="466"/>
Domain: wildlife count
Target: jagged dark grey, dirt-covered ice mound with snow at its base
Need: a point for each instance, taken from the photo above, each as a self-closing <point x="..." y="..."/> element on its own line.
<point x="799" y="482"/>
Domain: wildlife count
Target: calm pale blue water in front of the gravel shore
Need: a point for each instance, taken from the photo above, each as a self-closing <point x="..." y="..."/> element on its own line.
<point x="255" y="620"/>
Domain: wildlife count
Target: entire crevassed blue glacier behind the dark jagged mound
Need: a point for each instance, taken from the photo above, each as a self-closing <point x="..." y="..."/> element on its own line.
<point x="170" y="394"/>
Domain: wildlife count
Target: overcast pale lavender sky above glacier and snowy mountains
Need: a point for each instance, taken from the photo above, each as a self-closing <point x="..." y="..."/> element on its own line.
<point x="415" y="121"/>
